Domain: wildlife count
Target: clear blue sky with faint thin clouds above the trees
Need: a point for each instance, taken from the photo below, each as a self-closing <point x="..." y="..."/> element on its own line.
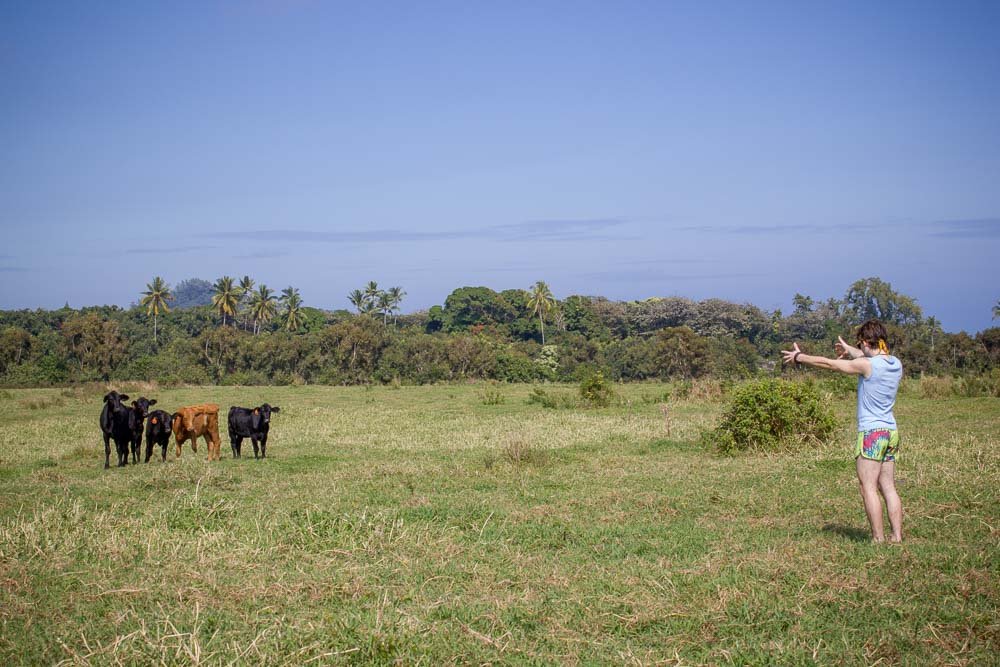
<point x="745" y="151"/>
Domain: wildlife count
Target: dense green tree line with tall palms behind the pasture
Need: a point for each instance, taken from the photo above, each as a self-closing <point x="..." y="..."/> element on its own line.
<point x="241" y="332"/>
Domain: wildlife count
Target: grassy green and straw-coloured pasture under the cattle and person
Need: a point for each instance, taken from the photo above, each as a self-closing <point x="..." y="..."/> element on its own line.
<point x="420" y="525"/>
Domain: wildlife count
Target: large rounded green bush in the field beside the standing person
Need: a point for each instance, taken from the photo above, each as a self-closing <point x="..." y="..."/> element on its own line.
<point x="771" y="415"/>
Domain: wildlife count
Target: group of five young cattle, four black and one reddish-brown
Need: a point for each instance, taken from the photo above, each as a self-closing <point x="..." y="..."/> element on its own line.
<point x="124" y="423"/>
